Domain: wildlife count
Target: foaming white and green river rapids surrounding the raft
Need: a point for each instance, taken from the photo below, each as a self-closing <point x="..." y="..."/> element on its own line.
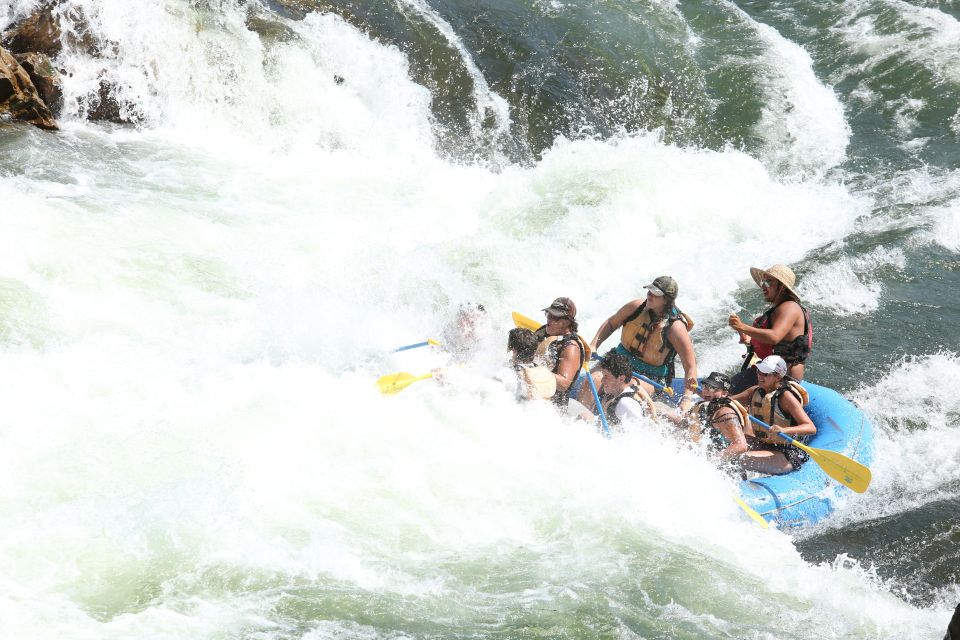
<point x="195" y="304"/>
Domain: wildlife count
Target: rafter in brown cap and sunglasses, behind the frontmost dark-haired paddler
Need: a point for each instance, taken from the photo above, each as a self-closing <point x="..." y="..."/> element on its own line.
<point x="560" y="347"/>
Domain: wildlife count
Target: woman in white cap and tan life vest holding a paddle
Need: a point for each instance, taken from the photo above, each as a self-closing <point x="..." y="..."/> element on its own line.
<point x="777" y="401"/>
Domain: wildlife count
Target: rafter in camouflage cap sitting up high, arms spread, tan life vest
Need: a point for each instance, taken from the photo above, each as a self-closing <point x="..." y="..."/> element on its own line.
<point x="653" y="332"/>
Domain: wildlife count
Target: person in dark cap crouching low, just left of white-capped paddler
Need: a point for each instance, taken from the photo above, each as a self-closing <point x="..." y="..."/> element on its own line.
<point x="720" y="418"/>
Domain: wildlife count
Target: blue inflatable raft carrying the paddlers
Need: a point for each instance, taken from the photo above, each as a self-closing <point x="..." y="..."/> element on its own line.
<point x="808" y="495"/>
